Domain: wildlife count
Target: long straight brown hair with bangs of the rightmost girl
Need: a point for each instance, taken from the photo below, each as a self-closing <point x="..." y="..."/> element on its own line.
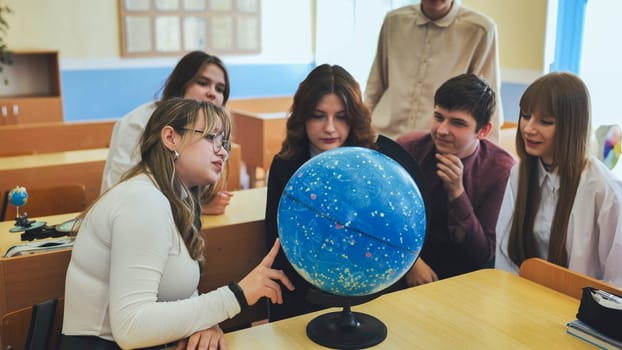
<point x="564" y="96"/>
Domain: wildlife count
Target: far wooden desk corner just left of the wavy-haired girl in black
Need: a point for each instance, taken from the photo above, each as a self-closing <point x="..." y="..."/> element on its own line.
<point x="260" y="135"/>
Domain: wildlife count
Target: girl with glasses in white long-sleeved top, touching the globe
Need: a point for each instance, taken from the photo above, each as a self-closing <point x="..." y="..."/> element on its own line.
<point x="135" y="267"/>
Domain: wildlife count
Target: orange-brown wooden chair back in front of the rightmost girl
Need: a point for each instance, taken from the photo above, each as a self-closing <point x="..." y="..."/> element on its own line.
<point x="562" y="279"/>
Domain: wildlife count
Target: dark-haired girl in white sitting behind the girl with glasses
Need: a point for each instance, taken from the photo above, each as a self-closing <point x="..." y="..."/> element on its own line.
<point x="197" y="76"/>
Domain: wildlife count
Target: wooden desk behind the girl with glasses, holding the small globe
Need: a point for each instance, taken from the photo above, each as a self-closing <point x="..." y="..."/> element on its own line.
<point x="235" y="243"/>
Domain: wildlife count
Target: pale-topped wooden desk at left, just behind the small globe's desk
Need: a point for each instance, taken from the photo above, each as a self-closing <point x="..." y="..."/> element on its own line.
<point x="59" y="168"/>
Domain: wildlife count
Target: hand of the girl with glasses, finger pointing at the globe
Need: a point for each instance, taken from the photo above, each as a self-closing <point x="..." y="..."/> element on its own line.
<point x="263" y="280"/>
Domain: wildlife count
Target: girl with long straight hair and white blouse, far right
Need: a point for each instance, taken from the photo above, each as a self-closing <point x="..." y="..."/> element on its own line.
<point x="560" y="203"/>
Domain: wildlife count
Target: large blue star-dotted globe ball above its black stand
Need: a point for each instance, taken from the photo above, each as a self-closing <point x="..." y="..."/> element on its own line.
<point x="351" y="221"/>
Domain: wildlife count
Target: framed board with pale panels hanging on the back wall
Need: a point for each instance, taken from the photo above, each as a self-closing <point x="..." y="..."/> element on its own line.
<point x="173" y="27"/>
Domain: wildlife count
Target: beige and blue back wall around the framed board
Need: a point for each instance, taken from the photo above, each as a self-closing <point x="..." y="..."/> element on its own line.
<point x="97" y="83"/>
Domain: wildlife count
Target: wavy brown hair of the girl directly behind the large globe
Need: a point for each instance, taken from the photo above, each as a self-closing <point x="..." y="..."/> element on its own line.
<point x="323" y="80"/>
